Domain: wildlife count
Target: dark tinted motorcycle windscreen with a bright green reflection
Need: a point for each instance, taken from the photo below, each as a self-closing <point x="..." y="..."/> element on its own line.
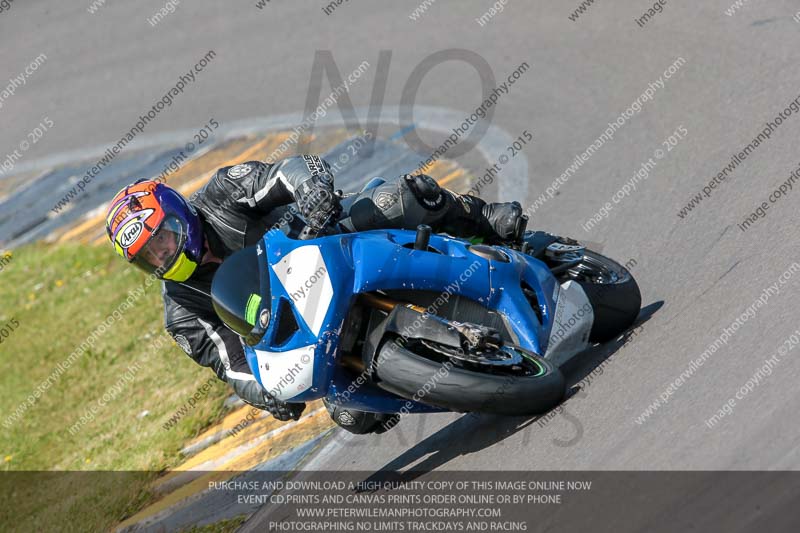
<point x="240" y="296"/>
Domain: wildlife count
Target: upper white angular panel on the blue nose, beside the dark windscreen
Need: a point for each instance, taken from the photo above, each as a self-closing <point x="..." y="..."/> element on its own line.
<point x="304" y="275"/>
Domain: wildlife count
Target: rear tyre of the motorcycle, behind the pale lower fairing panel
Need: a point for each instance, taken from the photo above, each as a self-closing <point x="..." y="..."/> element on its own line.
<point x="611" y="290"/>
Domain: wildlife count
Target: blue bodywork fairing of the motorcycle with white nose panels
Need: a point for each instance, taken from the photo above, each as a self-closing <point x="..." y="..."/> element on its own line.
<point x="317" y="280"/>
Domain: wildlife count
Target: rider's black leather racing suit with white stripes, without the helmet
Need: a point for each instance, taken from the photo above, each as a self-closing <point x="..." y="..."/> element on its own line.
<point x="241" y="203"/>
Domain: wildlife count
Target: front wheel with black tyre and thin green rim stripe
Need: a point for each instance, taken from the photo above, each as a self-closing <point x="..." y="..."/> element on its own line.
<point x="507" y="380"/>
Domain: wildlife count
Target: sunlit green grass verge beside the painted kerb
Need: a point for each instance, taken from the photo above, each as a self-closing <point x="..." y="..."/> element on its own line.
<point x="59" y="295"/>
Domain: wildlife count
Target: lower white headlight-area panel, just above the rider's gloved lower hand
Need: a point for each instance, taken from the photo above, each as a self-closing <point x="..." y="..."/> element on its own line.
<point x="286" y="374"/>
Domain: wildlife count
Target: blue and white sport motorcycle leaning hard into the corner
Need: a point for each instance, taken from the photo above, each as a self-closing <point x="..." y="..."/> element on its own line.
<point x="403" y="321"/>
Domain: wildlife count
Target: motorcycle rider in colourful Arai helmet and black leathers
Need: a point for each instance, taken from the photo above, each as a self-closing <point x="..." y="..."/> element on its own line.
<point x="183" y="242"/>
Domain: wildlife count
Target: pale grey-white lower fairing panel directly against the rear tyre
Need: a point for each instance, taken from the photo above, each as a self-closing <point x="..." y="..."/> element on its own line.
<point x="573" y="321"/>
